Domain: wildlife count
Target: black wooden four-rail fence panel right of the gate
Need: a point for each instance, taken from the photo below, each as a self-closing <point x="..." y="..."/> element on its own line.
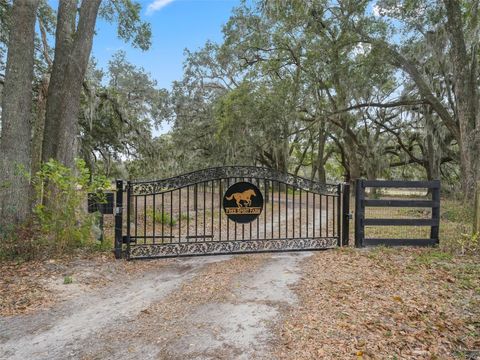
<point x="361" y="203"/>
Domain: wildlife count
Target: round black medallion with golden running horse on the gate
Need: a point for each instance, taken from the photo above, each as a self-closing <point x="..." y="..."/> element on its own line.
<point x="243" y="202"/>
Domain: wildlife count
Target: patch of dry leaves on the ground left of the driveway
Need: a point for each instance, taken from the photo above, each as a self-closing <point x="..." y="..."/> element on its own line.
<point x="29" y="286"/>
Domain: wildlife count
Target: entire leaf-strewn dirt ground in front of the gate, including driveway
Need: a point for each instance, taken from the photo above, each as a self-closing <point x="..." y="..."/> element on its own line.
<point x="334" y="304"/>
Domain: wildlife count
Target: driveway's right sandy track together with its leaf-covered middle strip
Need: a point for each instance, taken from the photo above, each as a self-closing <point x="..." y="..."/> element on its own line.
<point x="227" y="311"/>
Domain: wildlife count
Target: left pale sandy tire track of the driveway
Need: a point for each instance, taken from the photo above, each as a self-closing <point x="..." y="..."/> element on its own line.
<point x="57" y="333"/>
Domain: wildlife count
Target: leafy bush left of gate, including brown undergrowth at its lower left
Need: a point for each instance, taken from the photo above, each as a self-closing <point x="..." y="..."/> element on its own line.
<point x="60" y="222"/>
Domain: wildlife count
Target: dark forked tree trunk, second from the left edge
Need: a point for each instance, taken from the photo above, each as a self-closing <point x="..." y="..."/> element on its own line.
<point x="72" y="52"/>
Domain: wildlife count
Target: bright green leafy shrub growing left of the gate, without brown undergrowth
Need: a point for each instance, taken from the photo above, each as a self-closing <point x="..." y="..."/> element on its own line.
<point x="62" y="220"/>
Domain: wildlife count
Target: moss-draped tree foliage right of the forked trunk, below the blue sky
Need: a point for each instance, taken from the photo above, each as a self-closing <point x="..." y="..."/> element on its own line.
<point x="118" y="117"/>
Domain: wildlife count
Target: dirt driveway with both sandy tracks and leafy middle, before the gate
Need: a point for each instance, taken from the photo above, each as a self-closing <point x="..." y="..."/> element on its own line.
<point x="200" y="307"/>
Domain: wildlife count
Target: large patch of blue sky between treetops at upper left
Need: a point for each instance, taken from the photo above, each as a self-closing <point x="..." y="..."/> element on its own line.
<point x="176" y="25"/>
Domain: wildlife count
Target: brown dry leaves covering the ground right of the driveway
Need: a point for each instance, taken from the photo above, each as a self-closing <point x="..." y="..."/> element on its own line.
<point x="383" y="304"/>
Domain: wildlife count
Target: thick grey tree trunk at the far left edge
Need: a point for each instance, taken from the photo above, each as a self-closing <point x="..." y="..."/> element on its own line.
<point x="16" y="116"/>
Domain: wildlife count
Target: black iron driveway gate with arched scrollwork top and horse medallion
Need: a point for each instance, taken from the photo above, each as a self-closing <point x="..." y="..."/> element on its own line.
<point x="228" y="210"/>
